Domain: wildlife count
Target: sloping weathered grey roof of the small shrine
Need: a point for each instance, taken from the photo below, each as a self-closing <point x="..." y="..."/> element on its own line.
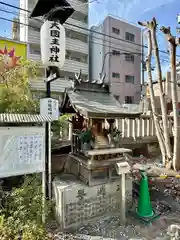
<point x="95" y="104"/>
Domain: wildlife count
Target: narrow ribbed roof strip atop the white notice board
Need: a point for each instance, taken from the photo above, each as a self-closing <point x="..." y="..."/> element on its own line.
<point x="23" y="118"/>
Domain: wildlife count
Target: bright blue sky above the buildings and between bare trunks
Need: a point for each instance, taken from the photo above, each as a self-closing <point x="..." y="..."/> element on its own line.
<point x="165" y="12"/>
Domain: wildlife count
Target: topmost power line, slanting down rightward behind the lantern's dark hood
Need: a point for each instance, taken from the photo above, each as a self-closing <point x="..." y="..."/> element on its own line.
<point x="90" y="30"/>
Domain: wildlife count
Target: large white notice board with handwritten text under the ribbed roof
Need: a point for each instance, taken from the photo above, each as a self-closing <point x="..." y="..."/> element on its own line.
<point x="22" y="150"/>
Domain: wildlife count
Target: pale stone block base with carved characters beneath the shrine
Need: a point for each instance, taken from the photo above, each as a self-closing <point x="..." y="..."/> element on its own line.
<point x="77" y="203"/>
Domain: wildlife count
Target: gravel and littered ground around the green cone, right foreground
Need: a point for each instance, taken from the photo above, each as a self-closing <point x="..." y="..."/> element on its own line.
<point x="165" y="199"/>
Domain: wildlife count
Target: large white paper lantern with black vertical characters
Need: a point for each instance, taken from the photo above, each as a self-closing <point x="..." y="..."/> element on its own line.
<point x="52" y="38"/>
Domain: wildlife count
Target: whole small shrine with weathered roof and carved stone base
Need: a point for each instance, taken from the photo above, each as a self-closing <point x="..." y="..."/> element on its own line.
<point x="92" y="187"/>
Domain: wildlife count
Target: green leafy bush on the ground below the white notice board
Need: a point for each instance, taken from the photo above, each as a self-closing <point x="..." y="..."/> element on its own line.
<point x="22" y="212"/>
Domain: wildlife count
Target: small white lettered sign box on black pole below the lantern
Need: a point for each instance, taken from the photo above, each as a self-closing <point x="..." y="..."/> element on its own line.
<point x="49" y="107"/>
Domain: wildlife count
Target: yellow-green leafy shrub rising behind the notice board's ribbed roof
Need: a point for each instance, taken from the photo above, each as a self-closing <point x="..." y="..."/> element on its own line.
<point x="15" y="91"/>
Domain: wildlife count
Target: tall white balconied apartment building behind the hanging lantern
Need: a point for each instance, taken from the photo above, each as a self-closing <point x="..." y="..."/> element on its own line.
<point x="76" y="44"/>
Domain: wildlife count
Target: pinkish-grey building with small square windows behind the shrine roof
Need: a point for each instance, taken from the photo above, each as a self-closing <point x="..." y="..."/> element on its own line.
<point x="122" y="71"/>
